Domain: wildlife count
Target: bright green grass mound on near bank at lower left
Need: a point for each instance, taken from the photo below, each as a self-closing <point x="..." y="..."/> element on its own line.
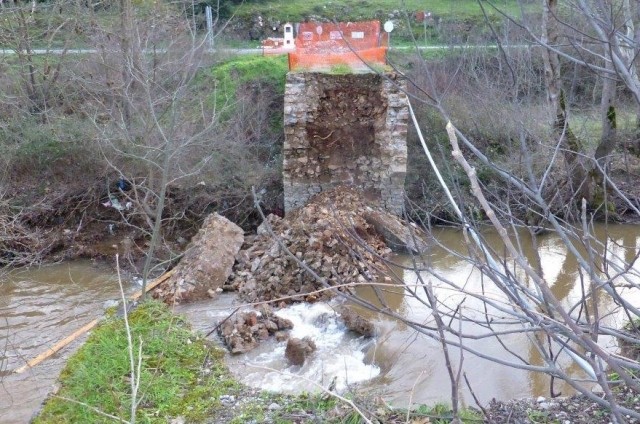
<point x="182" y="375"/>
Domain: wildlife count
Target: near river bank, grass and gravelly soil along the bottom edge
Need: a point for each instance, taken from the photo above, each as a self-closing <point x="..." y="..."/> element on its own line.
<point x="216" y="397"/>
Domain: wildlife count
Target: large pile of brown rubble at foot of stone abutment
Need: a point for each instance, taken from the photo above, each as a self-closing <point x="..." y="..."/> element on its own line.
<point x="329" y="235"/>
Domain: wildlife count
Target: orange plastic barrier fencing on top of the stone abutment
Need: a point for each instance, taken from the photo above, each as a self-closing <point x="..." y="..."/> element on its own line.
<point x="322" y="46"/>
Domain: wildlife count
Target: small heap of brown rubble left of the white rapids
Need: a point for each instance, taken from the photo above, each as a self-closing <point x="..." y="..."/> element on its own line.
<point x="244" y="331"/>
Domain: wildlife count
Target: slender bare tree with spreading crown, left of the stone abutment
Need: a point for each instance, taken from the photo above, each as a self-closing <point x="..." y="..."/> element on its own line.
<point x="153" y="134"/>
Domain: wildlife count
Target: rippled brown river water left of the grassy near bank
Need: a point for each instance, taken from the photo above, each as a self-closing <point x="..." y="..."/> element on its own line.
<point x="39" y="307"/>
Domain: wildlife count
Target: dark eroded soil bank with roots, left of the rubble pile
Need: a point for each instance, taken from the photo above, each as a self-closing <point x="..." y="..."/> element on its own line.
<point x="70" y="220"/>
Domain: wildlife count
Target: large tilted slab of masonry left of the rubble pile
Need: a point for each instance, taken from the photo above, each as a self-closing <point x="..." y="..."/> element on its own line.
<point x="206" y="264"/>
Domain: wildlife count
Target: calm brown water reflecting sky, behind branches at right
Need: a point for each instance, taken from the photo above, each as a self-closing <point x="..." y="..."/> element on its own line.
<point x="413" y="365"/>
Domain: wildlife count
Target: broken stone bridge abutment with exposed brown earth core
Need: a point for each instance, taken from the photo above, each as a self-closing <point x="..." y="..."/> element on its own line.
<point x="345" y="130"/>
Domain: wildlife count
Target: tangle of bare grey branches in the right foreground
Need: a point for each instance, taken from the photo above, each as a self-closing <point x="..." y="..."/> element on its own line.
<point x="526" y="304"/>
